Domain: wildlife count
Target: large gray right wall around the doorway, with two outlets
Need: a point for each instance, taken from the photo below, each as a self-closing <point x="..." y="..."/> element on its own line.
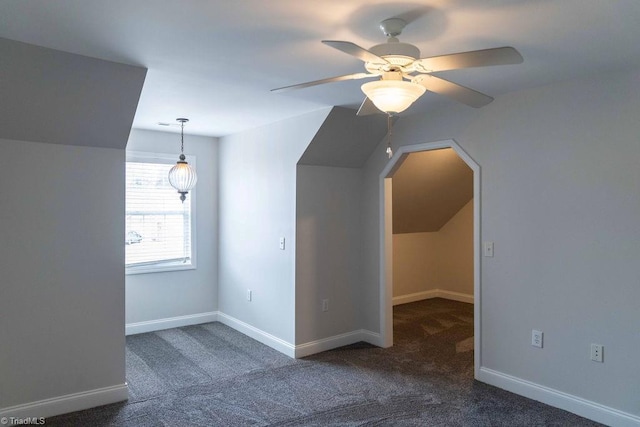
<point x="560" y="200"/>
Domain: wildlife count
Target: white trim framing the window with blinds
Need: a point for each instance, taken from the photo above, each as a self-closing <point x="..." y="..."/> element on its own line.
<point x="142" y="156"/>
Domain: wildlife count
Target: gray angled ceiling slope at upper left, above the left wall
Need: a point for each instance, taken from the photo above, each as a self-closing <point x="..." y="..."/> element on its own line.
<point x="62" y="98"/>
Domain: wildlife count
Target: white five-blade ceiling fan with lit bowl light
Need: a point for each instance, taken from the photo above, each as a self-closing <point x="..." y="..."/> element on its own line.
<point x="404" y="76"/>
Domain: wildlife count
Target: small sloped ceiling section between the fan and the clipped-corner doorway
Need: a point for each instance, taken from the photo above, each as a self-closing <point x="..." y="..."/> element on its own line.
<point x="345" y="140"/>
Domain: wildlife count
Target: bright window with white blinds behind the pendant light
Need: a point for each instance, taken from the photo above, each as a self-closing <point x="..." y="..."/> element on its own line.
<point x="159" y="227"/>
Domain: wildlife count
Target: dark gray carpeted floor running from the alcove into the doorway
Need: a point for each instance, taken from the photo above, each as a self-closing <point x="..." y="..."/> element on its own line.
<point x="211" y="375"/>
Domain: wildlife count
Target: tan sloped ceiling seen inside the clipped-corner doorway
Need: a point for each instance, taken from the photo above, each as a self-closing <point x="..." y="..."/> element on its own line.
<point x="429" y="188"/>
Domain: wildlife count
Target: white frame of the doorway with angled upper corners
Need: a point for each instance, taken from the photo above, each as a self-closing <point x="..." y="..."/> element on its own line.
<point x="386" y="241"/>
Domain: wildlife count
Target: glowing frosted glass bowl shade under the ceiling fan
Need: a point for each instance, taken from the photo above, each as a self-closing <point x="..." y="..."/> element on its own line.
<point x="392" y="96"/>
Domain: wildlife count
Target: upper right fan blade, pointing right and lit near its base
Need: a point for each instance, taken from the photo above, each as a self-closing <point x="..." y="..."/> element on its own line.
<point x="476" y="58"/>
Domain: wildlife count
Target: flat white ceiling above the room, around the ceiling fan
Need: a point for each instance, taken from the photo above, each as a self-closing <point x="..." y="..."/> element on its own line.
<point x="215" y="61"/>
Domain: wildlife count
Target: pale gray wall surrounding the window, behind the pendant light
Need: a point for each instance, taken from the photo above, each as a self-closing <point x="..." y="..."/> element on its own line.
<point x="157" y="296"/>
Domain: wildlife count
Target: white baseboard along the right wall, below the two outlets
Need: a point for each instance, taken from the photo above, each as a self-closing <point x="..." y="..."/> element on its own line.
<point x="577" y="405"/>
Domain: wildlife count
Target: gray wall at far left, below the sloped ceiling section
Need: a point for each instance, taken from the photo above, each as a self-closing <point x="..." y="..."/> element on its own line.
<point x="62" y="264"/>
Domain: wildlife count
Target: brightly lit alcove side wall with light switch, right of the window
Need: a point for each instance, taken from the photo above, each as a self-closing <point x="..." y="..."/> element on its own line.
<point x="257" y="202"/>
